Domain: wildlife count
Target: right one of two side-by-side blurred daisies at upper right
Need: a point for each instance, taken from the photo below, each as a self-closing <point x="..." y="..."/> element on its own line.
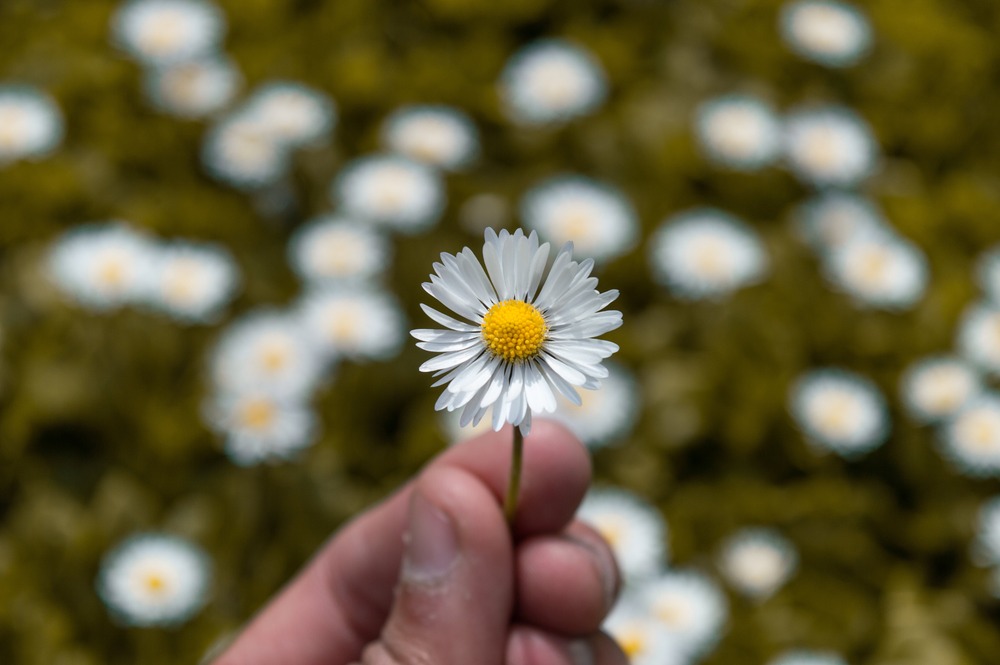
<point x="830" y="146"/>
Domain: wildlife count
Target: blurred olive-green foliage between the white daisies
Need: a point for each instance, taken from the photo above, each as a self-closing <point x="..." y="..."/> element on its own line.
<point x="101" y="432"/>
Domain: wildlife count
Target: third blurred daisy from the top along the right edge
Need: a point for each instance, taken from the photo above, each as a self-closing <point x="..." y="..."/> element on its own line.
<point x="971" y="439"/>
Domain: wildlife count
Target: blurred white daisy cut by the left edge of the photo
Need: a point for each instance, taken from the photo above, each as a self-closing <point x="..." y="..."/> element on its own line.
<point x="30" y="123"/>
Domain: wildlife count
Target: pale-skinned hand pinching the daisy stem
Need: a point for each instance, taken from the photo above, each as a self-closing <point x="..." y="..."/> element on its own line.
<point x="460" y="590"/>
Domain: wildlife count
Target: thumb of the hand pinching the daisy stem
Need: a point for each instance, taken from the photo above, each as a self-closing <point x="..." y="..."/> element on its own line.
<point x="454" y="599"/>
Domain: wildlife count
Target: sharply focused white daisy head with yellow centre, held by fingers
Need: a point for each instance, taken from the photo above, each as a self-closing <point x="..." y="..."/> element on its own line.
<point x="528" y="333"/>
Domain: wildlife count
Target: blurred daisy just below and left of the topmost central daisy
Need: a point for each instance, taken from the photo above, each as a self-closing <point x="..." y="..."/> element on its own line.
<point x="436" y="135"/>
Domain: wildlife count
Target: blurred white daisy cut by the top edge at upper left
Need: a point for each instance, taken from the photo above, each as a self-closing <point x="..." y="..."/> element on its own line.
<point x="161" y="32"/>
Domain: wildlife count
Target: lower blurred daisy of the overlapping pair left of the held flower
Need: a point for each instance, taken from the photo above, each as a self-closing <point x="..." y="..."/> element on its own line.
<point x="261" y="427"/>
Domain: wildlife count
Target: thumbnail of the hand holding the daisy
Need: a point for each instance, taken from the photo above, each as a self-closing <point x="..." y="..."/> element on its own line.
<point x="431" y="544"/>
